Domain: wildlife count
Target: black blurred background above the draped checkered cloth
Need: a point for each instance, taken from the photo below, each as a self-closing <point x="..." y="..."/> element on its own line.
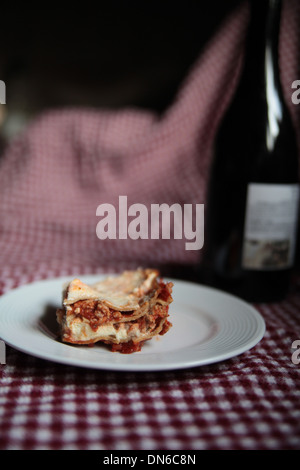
<point x="118" y="54"/>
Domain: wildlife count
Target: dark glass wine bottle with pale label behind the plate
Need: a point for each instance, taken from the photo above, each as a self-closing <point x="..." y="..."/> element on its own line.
<point x="253" y="192"/>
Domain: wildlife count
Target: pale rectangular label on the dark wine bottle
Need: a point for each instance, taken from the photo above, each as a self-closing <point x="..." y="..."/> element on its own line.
<point x="270" y="226"/>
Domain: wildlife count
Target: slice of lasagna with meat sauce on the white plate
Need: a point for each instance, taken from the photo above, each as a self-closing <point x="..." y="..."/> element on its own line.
<point x="122" y="311"/>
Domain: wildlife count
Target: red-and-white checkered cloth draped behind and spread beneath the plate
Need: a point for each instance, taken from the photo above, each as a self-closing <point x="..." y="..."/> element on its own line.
<point x="52" y="178"/>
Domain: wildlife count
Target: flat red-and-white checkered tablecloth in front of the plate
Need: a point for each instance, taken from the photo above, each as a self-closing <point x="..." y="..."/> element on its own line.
<point x="248" y="402"/>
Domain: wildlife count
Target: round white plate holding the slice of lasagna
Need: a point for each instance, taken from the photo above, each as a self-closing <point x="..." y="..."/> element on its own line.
<point x="208" y="326"/>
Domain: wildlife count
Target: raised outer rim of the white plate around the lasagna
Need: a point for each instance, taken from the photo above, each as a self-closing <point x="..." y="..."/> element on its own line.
<point x="127" y="367"/>
